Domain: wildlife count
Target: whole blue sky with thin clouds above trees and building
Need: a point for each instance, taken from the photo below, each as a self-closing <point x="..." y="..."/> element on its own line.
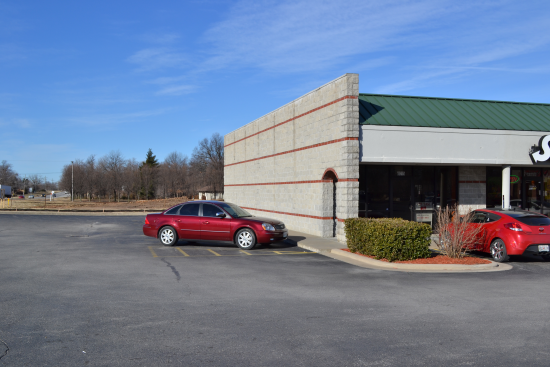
<point x="81" y="78"/>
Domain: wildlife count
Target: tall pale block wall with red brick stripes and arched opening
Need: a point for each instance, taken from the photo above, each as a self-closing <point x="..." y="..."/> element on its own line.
<point x="274" y="166"/>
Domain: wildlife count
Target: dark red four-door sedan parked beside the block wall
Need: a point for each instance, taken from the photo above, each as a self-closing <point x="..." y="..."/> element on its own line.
<point x="214" y="221"/>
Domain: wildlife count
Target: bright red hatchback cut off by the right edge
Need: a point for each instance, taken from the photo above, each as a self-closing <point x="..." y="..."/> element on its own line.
<point x="513" y="232"/>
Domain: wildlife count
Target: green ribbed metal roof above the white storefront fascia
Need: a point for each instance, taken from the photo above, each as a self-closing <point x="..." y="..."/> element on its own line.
<point x="388" y="110"/>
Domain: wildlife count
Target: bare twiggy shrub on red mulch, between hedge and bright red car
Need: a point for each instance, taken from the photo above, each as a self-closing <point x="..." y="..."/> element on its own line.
<point x="457" y="234"/>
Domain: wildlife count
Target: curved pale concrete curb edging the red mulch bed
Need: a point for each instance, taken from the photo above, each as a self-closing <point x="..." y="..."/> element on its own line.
<point x="422" y="267"/>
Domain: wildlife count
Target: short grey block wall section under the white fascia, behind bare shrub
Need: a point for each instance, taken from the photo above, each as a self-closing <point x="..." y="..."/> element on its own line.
<point x="472" y="182"/>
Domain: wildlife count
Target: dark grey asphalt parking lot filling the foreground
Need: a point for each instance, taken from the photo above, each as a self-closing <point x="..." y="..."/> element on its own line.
<point x="77" y="290"/>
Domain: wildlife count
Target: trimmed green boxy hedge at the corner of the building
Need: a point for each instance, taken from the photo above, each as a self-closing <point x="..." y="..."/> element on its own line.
<point x="388" y="238"/>
